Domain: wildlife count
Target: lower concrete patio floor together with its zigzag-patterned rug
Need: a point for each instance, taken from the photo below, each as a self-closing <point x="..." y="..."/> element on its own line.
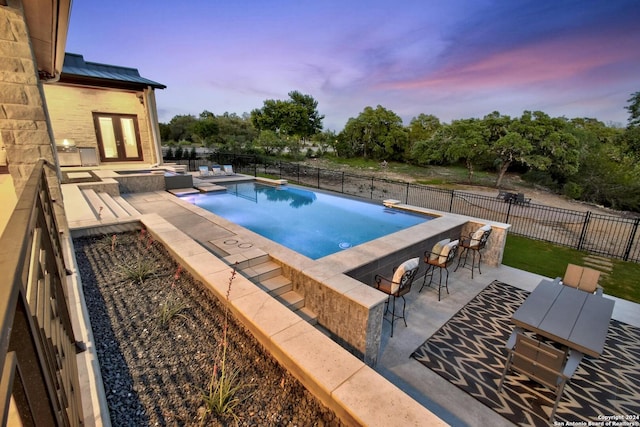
<point x="452" y="355"/>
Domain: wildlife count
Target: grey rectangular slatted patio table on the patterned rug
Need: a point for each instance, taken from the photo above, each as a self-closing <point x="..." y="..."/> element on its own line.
<point x="568" y="316"/>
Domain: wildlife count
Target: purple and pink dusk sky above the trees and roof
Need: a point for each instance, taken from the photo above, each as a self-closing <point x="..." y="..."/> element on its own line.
<point x="454" y="59"/>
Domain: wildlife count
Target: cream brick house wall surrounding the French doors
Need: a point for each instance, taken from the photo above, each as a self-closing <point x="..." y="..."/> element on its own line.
<point x="71" y="110"/>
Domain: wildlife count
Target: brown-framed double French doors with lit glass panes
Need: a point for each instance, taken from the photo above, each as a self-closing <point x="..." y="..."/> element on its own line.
<point x="118" y="137"/>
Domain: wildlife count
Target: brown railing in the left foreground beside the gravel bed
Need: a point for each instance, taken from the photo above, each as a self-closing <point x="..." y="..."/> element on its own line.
<point x="37" y="346"/>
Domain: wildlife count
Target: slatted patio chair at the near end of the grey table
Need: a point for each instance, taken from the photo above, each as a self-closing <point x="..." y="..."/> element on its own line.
<point x="542" y="363"/>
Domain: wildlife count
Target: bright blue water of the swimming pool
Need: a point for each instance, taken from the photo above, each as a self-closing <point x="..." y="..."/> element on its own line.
<point x="314" y="224"/>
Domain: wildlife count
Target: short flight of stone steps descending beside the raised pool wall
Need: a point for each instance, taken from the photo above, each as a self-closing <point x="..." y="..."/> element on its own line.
<point x="268" y="275"/>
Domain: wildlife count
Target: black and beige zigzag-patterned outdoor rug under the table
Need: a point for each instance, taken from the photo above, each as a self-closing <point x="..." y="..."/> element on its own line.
<point x="469" y="351"/>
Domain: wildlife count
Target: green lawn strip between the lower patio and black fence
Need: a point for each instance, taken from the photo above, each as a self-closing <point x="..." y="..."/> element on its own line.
<point x="551" y="261"/>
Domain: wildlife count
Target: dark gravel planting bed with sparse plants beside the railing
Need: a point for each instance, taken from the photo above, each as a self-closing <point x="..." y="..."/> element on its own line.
<point x="157" y="363"/>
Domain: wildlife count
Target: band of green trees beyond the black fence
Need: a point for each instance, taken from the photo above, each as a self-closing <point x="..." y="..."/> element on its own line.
<point x="580" y="157"/>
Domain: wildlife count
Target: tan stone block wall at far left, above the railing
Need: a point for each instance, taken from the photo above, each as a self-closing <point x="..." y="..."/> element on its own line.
<point x="25" y="129"/>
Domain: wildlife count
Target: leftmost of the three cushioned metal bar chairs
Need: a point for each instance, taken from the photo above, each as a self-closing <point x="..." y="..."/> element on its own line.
<point x="398" y="287"/>
